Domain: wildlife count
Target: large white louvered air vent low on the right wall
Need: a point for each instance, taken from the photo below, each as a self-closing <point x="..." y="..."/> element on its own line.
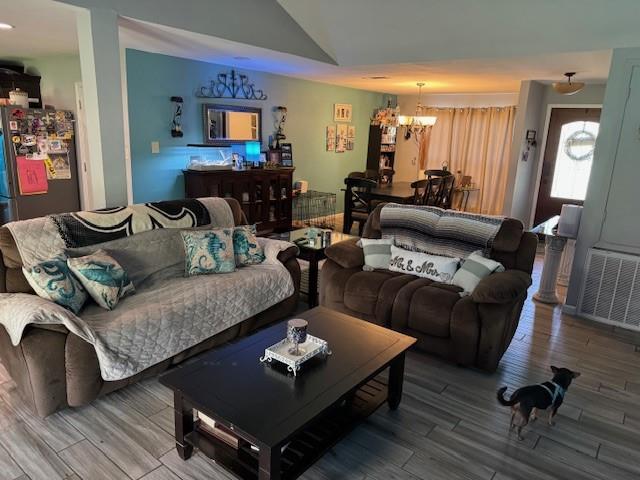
<point x="611" y="289"/>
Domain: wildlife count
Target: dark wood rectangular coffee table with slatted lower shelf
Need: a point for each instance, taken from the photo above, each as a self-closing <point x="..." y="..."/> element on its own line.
<point x="291" y="420"/>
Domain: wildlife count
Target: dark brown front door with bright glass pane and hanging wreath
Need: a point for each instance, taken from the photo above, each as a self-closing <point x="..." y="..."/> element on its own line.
<point x="567" y="160"/>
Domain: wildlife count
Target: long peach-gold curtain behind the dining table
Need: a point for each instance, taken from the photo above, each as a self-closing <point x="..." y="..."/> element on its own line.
<point x="476" y="142"/>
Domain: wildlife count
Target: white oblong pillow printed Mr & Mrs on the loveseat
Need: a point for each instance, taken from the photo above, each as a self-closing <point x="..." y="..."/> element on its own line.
<point x="435" y="267"/>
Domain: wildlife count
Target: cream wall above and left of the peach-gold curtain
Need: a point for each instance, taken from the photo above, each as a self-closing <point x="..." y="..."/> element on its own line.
<point x="407" y="150"/>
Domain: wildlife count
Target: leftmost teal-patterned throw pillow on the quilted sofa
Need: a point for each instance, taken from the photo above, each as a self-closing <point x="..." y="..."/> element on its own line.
<point x="54" y="281"/>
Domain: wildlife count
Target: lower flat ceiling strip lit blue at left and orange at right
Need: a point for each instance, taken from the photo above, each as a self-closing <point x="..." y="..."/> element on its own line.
<point x="456" y="76"/>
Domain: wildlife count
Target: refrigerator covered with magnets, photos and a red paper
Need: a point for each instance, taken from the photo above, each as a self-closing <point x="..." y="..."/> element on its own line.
<point x="38" y="167"/>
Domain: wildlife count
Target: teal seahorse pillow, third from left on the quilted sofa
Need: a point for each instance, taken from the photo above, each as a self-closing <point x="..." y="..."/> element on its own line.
<point x="208" y="251"/>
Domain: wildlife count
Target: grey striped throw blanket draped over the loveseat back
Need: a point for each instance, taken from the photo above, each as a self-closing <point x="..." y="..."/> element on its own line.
<point x="437" y="231"/>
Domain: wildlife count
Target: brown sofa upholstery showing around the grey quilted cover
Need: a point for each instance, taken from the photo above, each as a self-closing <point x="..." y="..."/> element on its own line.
<point x="54" y="368"/>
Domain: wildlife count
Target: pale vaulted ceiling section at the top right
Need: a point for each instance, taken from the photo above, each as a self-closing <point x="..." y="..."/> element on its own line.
<point x="368" y="32"/>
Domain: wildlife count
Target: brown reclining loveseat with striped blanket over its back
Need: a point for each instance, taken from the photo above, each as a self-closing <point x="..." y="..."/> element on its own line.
<point x="473" y="330"/>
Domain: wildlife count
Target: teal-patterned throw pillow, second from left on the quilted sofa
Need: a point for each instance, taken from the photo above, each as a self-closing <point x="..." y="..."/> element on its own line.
<point x="103" y="277"/>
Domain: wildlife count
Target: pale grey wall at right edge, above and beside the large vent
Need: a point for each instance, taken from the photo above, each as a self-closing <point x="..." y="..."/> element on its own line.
<point x="611" y="218"/>
